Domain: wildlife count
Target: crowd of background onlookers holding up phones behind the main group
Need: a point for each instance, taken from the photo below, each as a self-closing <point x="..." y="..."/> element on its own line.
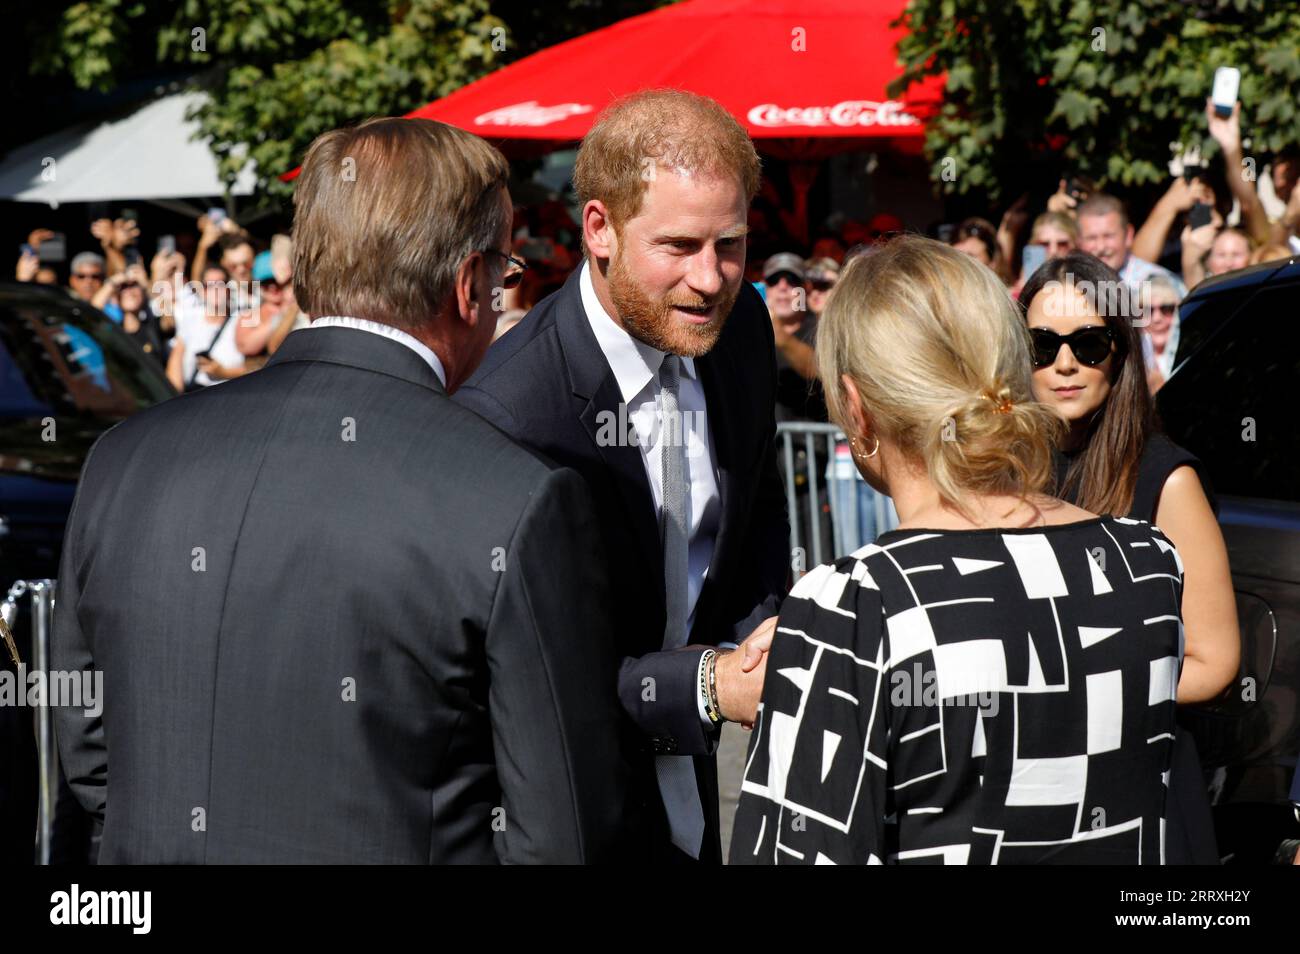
<point x="1211" y="220"/>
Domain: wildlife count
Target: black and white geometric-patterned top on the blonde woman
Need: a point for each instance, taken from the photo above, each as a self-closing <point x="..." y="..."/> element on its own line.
<point x="983" y="697"/>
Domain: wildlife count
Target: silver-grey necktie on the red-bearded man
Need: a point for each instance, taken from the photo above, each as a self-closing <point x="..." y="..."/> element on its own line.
<point x="677" y="774"/>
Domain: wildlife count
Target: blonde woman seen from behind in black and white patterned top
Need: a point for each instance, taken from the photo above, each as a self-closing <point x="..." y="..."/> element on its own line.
<point x="994" y="682"/>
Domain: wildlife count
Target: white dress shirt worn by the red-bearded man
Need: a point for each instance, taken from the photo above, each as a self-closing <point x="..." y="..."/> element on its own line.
<point x="636" y="368"/>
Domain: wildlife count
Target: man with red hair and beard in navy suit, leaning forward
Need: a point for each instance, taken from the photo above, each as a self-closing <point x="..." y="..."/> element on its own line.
<point x="652" y="374"/>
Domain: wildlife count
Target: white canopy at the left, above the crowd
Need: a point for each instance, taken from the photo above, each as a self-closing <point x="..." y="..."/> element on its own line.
<point x="149" y="154"/>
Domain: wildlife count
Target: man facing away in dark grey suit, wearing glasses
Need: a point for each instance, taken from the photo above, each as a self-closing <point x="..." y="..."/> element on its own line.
<point x="340" y="618"/>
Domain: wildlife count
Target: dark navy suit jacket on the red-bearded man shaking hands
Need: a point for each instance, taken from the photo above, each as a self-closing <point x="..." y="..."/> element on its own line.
<point x="548" y="385"/>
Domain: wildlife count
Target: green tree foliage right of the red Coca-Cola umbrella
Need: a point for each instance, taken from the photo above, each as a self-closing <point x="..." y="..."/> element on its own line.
<point x="1097" y="86"/>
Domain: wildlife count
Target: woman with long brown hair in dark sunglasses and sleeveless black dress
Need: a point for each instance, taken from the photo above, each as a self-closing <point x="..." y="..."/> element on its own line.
<point x="1090" y="370"/>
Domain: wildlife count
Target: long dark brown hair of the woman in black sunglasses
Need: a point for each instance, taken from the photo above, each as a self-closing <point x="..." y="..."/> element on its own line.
<point x="1103" y="476"/>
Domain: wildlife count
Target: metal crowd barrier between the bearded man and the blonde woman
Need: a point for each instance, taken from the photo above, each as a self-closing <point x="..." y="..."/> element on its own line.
<point x="840" y="488"/>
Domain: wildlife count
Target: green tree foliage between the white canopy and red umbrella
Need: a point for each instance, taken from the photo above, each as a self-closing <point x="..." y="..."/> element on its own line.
<point x="281" y="72"/>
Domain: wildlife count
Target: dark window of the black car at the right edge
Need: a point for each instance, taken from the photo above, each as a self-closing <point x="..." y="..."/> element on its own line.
<point x="1233" y="402"/>
